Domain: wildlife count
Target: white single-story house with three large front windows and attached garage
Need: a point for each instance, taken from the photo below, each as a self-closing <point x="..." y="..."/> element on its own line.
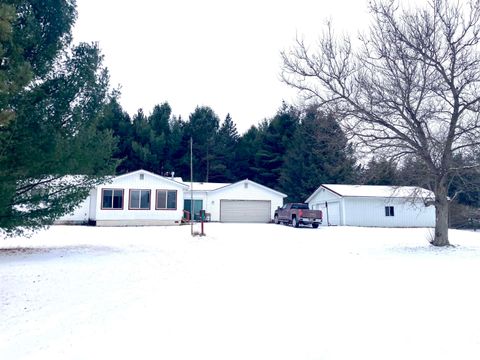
<point x="145" y="198"/>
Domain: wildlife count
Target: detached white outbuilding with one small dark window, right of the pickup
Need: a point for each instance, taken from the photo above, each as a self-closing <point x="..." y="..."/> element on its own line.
<point x="372" y="205"/>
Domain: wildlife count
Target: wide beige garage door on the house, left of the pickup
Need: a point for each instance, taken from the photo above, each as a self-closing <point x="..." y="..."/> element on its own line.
<point x="245" y="211"/>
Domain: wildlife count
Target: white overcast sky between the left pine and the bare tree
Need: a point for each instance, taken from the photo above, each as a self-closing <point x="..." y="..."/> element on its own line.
<point x="223" y="54"/>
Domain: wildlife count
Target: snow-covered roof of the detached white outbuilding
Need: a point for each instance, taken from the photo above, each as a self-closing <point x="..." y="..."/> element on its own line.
<point x="379" y="191"/>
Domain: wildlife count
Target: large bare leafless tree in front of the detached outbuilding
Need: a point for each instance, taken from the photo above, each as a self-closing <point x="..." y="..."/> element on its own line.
<point x="411" y="87"/>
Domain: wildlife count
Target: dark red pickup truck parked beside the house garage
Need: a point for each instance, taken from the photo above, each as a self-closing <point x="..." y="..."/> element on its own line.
<point x="298" y="214"/>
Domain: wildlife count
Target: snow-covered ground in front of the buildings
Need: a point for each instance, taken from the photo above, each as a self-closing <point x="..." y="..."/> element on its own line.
<point x="244" y="291"/>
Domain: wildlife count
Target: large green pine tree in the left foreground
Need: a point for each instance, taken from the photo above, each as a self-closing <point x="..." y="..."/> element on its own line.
<point x="52" y="96"/>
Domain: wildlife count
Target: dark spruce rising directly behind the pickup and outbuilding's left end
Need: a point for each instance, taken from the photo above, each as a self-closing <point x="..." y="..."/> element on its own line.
<point x="318" y="153"/>
